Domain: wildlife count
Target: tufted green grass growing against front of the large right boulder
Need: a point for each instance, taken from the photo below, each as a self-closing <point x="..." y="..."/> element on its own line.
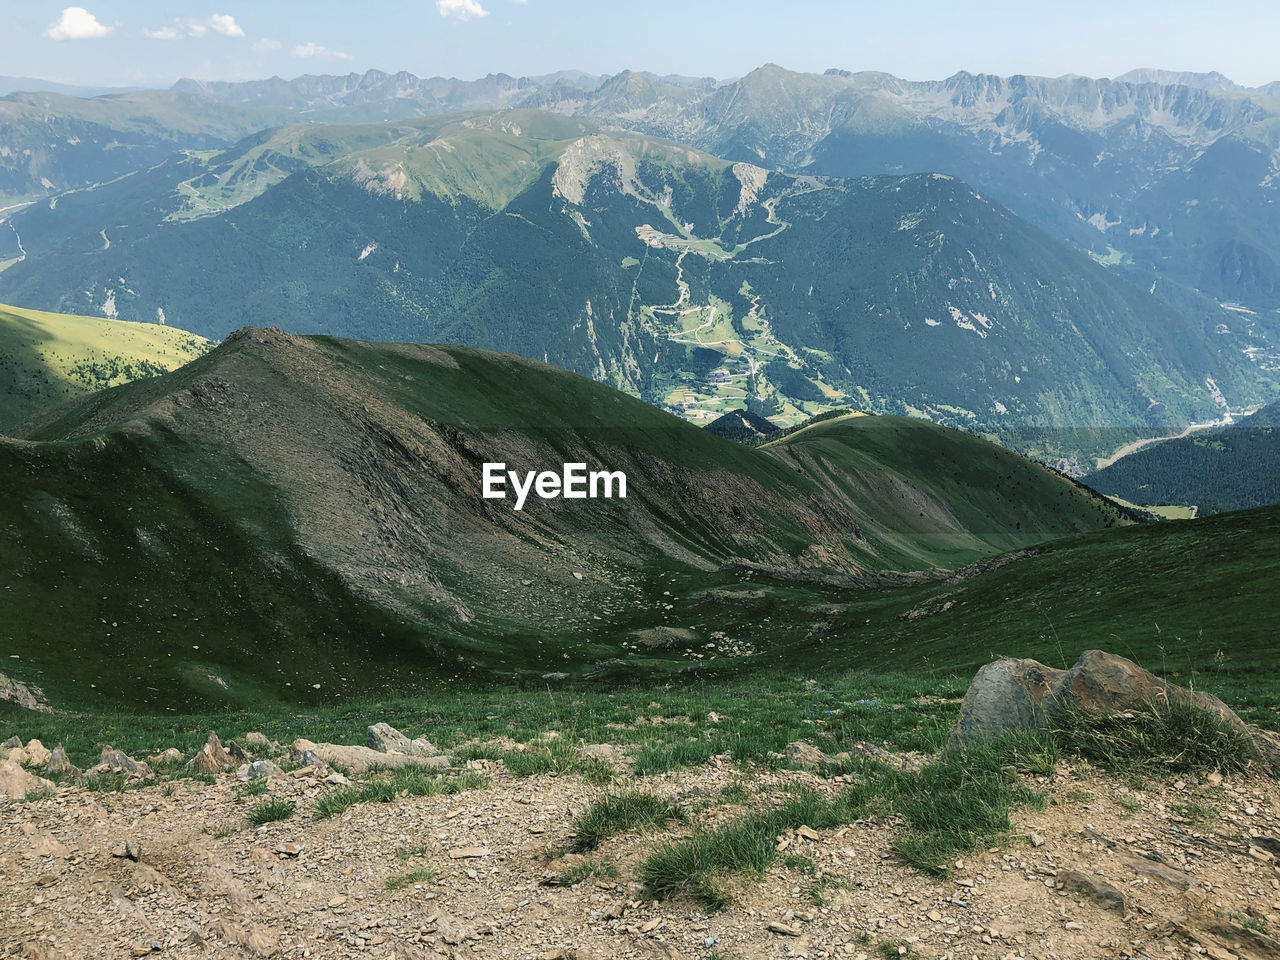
<point x="1164" y="739"/>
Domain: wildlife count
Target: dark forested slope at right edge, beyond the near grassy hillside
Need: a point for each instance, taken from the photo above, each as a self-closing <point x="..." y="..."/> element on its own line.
<point x="1233" y="468"/>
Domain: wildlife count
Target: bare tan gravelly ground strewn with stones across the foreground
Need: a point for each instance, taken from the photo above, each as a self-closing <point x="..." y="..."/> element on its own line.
<point x="1109" y="868"/>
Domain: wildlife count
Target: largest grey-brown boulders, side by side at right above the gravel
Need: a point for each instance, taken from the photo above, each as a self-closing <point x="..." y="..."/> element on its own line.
<point x="1021" y="694"/>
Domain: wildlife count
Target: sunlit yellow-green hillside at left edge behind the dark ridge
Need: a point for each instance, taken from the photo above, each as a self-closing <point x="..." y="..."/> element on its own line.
<point x="52" y="358"/>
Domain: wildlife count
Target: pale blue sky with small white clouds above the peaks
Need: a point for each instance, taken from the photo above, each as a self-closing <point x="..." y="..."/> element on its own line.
<point x="154" y="43"/>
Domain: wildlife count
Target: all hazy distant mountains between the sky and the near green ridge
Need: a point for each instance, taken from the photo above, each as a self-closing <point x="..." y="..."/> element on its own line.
<point x="1039" y="260"/>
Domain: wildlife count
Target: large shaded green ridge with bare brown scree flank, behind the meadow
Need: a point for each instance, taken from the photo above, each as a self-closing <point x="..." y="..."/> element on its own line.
<point x="295" y="519"/>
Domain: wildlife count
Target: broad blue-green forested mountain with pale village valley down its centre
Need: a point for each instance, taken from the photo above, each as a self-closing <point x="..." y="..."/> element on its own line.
<point x="698" y="285"/>
